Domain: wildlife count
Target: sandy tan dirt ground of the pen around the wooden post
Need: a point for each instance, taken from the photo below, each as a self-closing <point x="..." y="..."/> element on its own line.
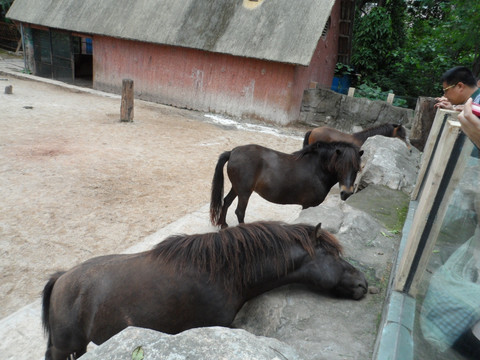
<point x="77" y="183"/>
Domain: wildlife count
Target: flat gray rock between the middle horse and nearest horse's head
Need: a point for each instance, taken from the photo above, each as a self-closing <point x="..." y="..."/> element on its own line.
<point x="368" y="226"/>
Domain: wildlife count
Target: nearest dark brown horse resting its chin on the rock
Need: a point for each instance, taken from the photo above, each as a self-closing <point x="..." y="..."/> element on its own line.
<point x="190" y="281"/>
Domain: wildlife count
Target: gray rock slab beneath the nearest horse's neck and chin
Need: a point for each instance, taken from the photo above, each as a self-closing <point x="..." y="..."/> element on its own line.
<point x="318" y="326"/>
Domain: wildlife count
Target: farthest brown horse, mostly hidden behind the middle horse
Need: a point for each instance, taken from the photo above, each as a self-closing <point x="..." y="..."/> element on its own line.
<point x="327" y="134"/>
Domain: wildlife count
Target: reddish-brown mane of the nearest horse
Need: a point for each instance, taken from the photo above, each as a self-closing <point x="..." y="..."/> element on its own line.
<point x="244" y="251"/>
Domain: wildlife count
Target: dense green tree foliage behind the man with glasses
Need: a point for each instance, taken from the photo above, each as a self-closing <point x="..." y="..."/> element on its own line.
<point x="406" y="45"/>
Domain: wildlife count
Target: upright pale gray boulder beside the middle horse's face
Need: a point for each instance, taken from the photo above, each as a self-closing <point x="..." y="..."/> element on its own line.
<point x="388" y="161"/>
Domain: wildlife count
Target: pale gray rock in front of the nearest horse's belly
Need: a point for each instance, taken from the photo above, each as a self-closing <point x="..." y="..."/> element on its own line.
<point x="213" y="343"/>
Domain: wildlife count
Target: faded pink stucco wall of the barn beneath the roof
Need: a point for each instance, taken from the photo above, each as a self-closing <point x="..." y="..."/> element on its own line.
<point x="211" y="82"/>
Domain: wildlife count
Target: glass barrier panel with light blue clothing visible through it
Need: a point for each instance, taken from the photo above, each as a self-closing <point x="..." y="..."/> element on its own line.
<point x="447" y="319"/>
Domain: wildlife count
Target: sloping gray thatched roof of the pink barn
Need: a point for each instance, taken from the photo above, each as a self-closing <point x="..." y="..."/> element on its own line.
<point x="277" y="30"/>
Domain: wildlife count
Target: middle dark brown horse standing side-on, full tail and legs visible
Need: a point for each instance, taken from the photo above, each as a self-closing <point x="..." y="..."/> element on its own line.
<point x="304" y="177"/>
